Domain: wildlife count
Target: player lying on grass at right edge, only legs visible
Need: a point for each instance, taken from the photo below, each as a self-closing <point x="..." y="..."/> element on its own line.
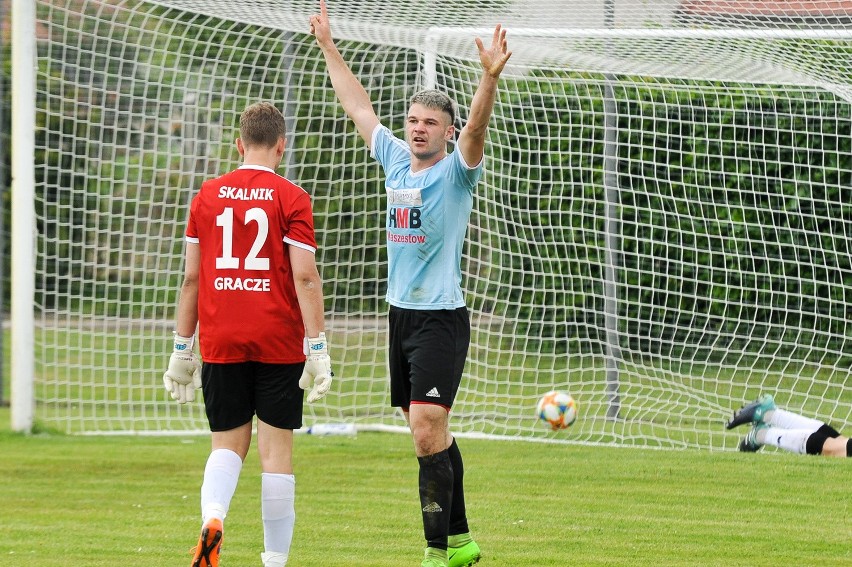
<point x="786" y="430"/>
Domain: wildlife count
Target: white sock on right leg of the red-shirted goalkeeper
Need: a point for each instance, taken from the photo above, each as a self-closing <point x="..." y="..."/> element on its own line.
<point x="278" y="510"/>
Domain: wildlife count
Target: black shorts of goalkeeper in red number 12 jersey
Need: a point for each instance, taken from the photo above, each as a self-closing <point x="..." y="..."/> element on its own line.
<point x="235" y="393"/>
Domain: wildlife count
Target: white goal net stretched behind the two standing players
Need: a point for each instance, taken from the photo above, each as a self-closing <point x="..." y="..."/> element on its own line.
<point x="662" y="230"/>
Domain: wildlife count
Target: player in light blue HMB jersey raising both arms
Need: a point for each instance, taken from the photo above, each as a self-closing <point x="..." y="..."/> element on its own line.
<point x="429" y="200"/>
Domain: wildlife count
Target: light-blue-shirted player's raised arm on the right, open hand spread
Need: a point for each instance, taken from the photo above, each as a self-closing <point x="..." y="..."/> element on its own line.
<point x="472" y="137"/>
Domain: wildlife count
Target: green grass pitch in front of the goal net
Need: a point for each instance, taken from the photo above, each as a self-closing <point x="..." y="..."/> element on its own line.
<point x="108" y="501"/>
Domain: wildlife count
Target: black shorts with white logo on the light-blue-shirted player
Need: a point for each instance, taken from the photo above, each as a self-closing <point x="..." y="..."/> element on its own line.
<point x="427" y="354"/>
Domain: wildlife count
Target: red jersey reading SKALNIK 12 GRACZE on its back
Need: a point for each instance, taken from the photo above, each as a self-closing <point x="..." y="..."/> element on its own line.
<point x="243" y="223"/>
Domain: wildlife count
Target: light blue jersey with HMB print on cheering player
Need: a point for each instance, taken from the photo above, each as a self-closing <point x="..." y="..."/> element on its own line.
<point x="427" y="219"/>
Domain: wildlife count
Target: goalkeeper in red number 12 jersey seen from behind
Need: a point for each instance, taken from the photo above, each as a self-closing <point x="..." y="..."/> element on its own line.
<point x="252" y="288"/>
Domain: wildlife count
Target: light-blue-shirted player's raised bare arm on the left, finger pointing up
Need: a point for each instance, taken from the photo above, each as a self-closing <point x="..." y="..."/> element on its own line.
<point x="349" y="90"/>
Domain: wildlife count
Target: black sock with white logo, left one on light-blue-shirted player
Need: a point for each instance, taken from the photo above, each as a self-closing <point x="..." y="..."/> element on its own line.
<point x="436" y="497"/>
